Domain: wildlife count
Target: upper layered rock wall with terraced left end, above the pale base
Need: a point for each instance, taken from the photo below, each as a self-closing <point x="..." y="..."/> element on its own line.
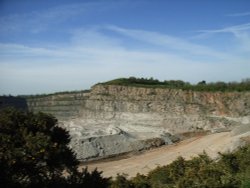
<point x="106" y="101"/>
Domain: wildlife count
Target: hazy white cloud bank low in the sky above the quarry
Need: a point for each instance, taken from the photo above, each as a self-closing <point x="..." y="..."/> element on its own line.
<point x="93" y="56"/>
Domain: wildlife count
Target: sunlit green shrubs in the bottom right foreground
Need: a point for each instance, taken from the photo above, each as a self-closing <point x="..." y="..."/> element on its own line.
<point x="231" y="170"/>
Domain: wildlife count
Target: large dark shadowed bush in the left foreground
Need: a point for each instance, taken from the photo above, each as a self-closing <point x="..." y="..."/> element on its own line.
<point x="34" y="153"/>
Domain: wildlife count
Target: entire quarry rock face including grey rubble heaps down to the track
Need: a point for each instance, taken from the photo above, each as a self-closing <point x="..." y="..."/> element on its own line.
<point x="110" y="120"/>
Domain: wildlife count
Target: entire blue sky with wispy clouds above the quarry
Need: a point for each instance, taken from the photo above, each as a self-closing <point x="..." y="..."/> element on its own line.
<point x="48" y="46"/>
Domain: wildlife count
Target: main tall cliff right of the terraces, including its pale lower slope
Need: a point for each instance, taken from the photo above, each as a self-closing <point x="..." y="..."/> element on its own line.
<point x="175" y="109"/>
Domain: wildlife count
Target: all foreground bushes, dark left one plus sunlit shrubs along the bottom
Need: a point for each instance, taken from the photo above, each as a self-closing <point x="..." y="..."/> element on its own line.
<point x="34" y="153"/>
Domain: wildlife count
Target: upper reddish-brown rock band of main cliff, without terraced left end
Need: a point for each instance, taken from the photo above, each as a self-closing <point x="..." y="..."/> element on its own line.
<point x="172" y="100"/>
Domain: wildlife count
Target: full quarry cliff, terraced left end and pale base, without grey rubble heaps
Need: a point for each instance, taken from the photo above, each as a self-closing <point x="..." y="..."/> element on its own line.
<point x="159" y="107"/>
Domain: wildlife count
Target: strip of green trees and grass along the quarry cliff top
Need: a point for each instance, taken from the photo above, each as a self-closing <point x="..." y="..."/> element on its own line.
<point x="244" y="85"/>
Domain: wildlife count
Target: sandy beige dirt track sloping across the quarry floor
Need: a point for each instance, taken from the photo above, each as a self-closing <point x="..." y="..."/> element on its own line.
<point x="148" y="160"/>
